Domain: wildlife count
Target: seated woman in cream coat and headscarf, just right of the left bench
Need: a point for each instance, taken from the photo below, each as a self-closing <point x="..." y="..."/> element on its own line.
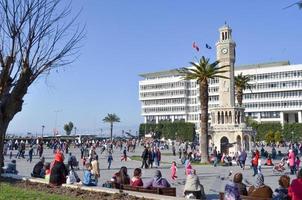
<point x="193" y="186"/>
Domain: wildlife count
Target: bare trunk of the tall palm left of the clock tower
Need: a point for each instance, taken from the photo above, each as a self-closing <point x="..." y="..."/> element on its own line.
<point x="203" y="137"/>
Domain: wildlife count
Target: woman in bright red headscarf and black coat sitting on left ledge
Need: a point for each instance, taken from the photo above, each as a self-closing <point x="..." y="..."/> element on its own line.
<point x="58" y="170"/>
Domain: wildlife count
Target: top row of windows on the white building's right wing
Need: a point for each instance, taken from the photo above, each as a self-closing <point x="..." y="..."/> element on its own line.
<point x="276" y="75"/>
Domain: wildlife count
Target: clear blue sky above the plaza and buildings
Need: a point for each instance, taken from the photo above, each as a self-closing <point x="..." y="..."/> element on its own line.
<point x="125" y="38"/>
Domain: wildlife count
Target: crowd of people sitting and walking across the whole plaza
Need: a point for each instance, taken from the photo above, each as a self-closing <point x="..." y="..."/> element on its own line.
<point x="59" y="172"/>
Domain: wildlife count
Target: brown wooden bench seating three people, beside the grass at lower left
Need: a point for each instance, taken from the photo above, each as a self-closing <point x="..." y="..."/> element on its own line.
<point x="160" y="191"/>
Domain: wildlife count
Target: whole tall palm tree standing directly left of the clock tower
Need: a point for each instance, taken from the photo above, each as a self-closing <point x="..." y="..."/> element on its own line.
<point x="202" y="72"/>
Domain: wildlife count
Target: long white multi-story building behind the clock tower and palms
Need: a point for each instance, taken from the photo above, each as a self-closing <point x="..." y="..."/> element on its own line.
<point x="276" y="94"/>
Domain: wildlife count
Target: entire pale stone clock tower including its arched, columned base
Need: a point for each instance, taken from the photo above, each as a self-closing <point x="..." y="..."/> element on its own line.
<point x="228" y="131"/>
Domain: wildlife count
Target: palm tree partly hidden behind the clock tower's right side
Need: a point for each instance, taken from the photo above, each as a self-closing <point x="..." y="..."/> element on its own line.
<point x="241" y="83"/>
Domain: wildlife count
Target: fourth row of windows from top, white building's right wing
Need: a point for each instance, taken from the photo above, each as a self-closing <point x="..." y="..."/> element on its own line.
<point x="276" y="104"/>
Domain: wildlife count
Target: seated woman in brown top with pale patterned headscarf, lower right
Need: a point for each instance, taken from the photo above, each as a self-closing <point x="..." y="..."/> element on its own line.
<point x="260" y="189"/>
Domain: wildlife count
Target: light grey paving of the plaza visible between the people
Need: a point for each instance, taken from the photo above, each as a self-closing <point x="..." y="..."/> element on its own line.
<point x="207" y="173"/>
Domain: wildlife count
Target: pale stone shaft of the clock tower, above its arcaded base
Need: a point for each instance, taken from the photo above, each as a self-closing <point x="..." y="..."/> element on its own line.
<point x="226" y="55"/>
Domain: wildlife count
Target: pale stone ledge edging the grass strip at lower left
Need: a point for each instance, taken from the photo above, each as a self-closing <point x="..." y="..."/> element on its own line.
<point x="95" y="188"/>
